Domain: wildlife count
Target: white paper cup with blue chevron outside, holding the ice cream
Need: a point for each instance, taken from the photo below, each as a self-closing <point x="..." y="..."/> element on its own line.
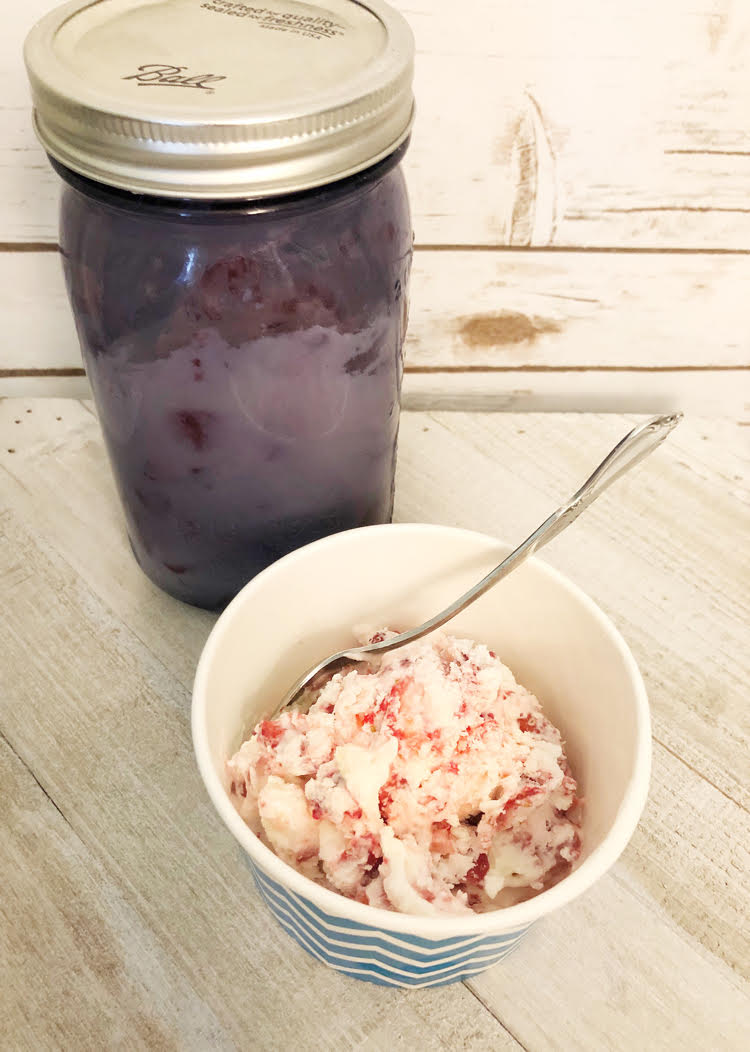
<point x="557" y="642"/>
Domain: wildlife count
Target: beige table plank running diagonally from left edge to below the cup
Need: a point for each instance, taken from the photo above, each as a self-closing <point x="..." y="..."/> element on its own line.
<point x="106" y="729"/>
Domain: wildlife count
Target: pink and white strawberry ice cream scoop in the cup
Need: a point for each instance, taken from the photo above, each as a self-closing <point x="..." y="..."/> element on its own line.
<point x="430" y="784"/>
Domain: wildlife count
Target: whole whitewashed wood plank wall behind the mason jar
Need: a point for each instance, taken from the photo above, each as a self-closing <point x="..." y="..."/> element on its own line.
<point x="582" y="127"/>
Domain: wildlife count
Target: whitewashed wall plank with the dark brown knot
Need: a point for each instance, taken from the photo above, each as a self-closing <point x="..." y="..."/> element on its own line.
<point x="484" y="310"/>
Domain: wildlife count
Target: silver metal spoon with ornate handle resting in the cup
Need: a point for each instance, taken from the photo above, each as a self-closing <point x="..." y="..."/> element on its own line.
<point x="629" y="452"/>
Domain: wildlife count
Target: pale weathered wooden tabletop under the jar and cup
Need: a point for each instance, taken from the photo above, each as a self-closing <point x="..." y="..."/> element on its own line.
<point x="128" y="919"/>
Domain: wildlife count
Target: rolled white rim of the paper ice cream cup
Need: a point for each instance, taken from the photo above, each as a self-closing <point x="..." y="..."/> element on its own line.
<point x="494" y="922"/>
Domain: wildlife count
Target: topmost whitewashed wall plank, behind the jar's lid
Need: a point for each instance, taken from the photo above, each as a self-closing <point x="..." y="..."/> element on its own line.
<point x="583" y="125"/>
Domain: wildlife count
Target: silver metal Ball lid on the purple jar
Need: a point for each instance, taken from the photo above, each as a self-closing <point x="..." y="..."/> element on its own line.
<point x="221" y="99"/>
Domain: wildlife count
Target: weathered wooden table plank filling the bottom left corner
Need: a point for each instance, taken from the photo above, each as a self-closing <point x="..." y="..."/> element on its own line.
<point x="79" y="969"/>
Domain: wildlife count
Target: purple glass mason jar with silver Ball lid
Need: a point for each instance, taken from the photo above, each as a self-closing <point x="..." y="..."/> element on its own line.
<point x="237" y="242"/>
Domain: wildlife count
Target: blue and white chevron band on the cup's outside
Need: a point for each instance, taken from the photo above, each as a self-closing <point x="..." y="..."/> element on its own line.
<point x="388" y="959"/>
